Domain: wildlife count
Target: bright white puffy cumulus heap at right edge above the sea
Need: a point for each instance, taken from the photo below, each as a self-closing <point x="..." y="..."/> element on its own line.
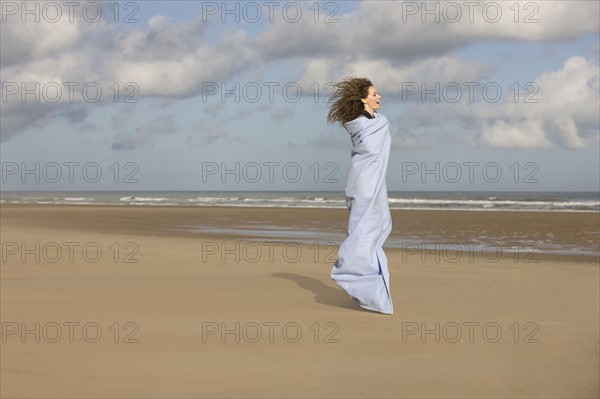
<point x="565" y="115"/>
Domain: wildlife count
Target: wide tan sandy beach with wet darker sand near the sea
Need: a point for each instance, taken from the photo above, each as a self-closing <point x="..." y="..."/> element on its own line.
<point x="126" y="301"/>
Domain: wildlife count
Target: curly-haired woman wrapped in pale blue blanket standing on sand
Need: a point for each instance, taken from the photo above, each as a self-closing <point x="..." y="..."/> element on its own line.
<point x="361" y="268"/>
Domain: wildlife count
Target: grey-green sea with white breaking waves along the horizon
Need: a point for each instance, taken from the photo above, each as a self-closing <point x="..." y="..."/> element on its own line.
<point x="424" y="200"/>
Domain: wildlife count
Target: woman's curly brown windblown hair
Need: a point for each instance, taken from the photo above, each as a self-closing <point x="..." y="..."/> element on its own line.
<point x="345" y="99"/>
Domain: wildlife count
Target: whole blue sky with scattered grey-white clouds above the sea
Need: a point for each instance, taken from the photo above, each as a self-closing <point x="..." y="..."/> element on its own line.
<point x="191" y="95"/>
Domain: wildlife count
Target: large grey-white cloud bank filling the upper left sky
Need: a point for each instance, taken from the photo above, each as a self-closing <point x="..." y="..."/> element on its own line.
<point x="164" y="59"/>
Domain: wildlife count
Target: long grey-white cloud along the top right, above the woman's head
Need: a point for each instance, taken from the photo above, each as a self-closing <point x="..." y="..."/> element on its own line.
<point x="403" y="31"/>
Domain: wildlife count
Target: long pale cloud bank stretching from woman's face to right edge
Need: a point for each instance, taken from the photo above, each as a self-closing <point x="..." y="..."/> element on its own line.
<point x="562" y="112"/>
